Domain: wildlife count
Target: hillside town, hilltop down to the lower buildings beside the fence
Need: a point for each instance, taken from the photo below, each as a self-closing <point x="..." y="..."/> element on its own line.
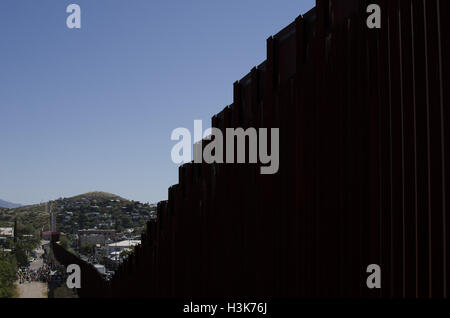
<point x="99" y="227"/>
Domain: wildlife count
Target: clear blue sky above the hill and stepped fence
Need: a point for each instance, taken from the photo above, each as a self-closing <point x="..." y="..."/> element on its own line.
<point x="93" y="109"/>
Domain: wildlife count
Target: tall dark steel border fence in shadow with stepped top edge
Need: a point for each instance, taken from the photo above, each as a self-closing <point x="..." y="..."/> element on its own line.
<point x="364" y="120"/>
